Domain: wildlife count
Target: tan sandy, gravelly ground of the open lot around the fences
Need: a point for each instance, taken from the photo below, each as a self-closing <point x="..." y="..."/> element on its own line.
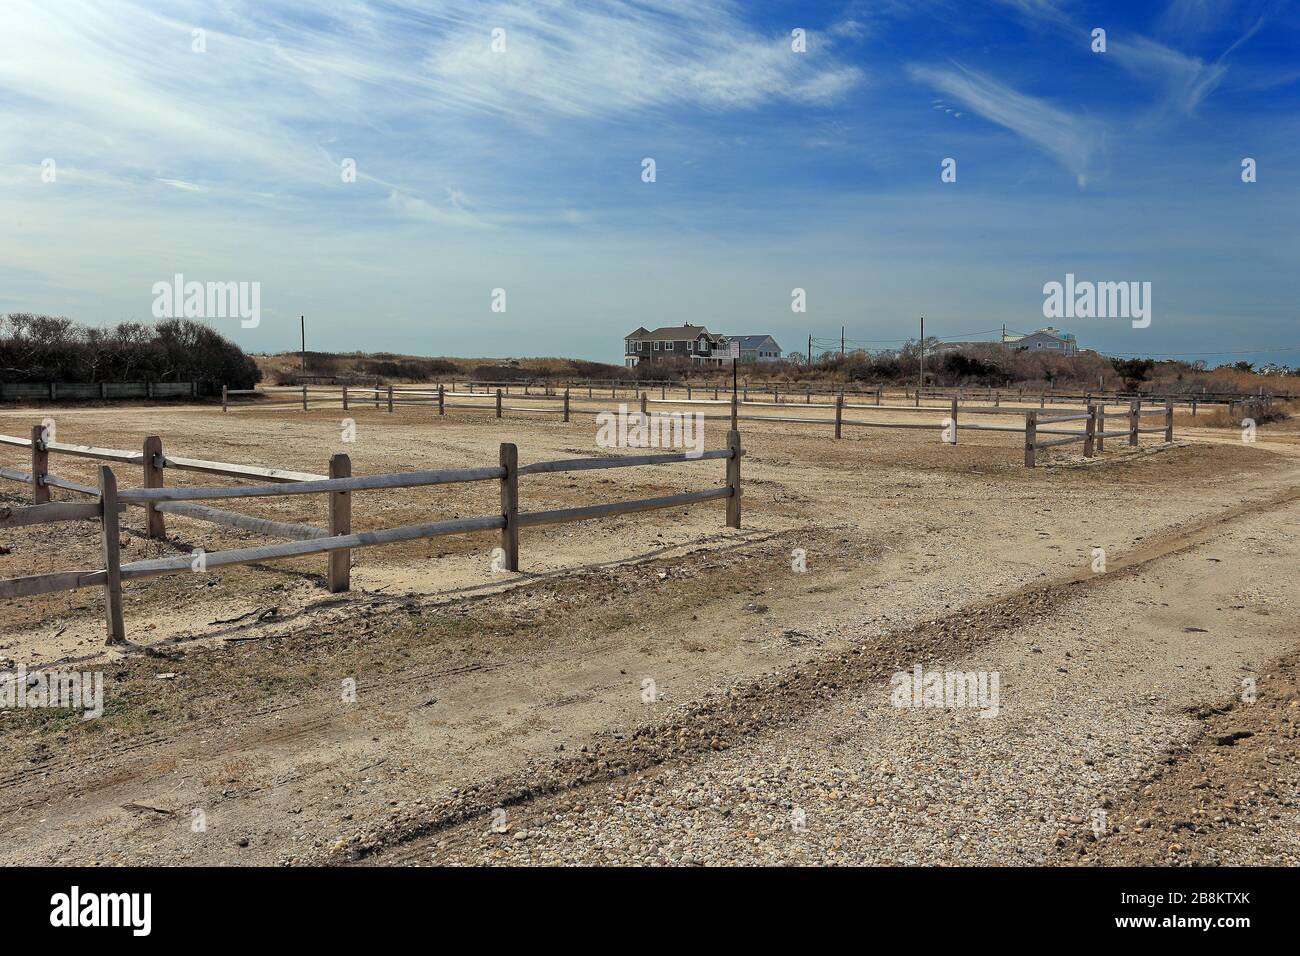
<point x="476" y="690"/>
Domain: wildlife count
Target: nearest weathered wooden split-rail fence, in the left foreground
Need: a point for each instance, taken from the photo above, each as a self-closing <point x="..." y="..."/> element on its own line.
<point x="337" y="540"/>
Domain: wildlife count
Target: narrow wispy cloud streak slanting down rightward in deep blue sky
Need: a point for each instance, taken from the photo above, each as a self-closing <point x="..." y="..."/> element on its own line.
<point x="1069" y="139"/>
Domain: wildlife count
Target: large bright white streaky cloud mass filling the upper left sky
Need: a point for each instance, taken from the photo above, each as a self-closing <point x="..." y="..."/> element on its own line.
<point x="283" y="93"/>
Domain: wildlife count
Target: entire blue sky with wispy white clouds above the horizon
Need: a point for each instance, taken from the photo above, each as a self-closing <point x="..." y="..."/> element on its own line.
<point x="775" y="170"/>
